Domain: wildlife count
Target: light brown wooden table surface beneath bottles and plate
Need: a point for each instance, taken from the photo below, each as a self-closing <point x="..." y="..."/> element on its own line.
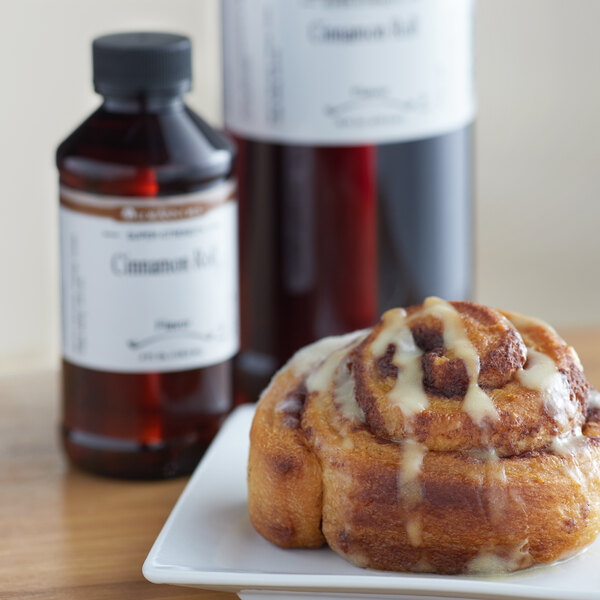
<point x="69" y="535"/>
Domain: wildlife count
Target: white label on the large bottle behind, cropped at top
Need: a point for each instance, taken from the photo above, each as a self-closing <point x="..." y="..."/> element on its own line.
<point x="342" y="72"/>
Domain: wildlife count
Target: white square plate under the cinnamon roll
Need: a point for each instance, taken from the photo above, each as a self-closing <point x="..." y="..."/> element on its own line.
<point x="208" y="542"/>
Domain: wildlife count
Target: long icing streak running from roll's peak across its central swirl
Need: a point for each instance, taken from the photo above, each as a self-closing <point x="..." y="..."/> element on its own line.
<point x="477" y="404"/>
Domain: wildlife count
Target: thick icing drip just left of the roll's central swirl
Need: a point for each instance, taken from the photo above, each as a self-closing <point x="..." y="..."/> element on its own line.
<point x="407" y="393"/>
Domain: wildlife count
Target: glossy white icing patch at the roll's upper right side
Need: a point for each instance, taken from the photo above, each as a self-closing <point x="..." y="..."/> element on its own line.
<point x="542" y="375"/>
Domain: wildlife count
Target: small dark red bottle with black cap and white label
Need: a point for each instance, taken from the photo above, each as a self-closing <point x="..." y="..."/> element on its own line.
<point x="149" y="267"/>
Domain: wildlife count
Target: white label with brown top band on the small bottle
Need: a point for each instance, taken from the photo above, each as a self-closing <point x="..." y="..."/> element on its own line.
<point x="149" y="284"/>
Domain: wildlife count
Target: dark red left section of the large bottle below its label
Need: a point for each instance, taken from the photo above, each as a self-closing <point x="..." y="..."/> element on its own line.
<point x="307" y="251"/>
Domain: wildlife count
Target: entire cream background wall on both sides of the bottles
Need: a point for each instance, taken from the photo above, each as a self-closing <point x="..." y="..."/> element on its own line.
<point x="538" y="146"/>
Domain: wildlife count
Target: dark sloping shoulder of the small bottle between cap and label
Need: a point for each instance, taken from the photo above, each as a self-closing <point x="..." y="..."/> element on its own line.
<point x="175" y="148"/>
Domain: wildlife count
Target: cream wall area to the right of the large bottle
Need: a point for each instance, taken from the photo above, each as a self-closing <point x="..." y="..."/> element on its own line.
<point x="538" y="158"/>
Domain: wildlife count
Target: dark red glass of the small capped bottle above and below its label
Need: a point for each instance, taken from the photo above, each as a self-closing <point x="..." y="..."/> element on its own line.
<point x="143" y="425"/>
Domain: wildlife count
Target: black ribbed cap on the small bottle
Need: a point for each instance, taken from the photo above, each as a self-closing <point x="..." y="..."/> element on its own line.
<point x="142" y="63"/>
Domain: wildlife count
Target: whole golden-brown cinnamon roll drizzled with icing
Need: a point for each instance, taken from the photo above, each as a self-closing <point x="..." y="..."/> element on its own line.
<point x="450" y="438"/>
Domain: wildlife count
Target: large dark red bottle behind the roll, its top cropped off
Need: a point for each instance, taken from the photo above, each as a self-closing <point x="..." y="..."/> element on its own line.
<point x="353" y="123"/>
